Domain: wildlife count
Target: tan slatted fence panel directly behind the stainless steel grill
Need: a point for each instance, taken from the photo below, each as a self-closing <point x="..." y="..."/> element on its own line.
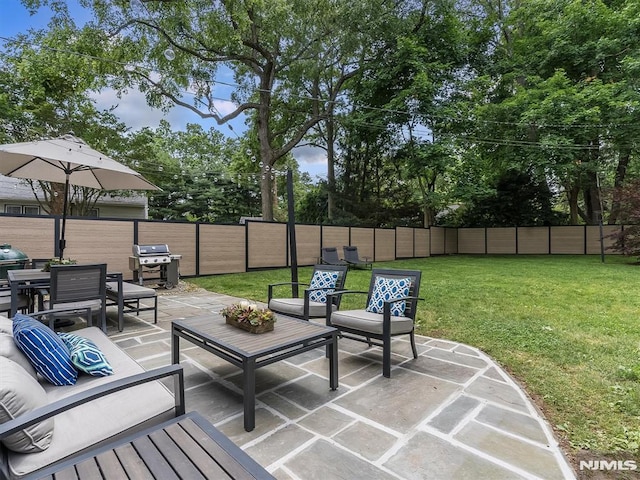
<point x="180" y="236"/>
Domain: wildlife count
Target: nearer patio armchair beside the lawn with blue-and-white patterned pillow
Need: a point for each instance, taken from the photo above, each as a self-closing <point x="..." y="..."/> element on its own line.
<point x="392" y="301"/>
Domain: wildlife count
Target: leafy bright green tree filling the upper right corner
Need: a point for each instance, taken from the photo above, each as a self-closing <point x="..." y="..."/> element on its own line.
<point x="560" y="96"/>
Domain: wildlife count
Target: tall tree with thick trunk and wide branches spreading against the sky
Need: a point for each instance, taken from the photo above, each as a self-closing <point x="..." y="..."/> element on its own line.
<point x="273" y="50"/>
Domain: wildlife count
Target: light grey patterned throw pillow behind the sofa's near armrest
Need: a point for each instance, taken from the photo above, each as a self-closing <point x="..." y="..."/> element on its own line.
<point x="21" y="393"/>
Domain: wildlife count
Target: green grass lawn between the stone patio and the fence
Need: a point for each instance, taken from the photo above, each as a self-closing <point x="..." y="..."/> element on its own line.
<point x="567" y="327"/>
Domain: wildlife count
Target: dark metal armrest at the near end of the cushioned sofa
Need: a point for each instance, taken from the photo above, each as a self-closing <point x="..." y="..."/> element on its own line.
<point x="64" y="404"/>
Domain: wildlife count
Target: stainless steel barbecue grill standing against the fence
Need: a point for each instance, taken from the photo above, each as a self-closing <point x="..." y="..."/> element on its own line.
<point x="155" y="264"/>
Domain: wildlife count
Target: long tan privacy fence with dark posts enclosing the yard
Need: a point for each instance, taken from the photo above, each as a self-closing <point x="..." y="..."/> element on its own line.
<point x="209" y="249"/>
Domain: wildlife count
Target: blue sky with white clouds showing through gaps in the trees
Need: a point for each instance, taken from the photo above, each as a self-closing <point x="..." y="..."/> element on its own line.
<point x="132" y="109"/>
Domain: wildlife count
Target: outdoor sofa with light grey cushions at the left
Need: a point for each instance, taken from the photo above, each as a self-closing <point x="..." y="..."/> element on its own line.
<point x="104" y="408"/>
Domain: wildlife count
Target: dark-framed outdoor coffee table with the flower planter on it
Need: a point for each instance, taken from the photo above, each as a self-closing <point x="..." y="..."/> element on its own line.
<point x="251" y="351"/>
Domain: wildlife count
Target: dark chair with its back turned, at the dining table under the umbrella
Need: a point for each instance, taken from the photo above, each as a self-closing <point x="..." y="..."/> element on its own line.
<point x="78" y="287"/>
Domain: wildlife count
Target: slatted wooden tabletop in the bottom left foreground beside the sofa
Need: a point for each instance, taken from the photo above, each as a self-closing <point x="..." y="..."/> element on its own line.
<point x="186" y="447"/>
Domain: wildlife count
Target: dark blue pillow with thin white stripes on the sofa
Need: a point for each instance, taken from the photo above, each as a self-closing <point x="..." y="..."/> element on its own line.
<point x="45" y="350"/>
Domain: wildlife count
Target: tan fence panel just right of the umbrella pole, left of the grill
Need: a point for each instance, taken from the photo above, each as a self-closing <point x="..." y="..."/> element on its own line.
<point x="101" y="241"/>
